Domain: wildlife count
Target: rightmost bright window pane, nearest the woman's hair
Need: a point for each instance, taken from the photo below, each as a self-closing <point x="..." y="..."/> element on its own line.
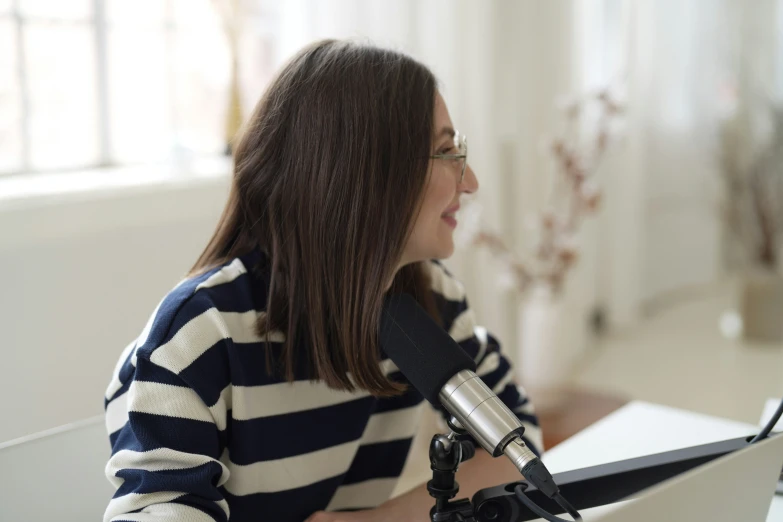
<point x="201" y="79"/>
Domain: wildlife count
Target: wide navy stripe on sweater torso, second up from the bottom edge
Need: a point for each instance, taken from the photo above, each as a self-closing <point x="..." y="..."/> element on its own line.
<point x="281" y="436"/>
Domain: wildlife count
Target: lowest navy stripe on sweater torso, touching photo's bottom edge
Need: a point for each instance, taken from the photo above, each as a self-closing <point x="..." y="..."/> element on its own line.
<point x="292" y="505"/>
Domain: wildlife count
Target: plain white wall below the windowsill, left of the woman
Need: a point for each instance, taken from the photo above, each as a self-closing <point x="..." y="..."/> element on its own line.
<point x="81" y="274"/>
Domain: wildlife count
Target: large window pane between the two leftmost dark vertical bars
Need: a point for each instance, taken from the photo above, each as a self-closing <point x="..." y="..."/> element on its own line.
<point x="60" y="64"/>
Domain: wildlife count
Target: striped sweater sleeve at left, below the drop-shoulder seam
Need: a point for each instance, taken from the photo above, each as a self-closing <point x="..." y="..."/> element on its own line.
<point x="165" y="456"/>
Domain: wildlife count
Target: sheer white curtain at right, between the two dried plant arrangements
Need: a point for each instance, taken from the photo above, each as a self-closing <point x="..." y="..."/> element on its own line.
<point x="661" y="231"/>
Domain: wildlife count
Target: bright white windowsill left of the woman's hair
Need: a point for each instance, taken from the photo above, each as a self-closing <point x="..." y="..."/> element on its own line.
<point x="43" y="208"/>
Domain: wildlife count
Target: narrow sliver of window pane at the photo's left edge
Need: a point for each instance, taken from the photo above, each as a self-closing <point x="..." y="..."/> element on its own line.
<point x="10" y="101"/>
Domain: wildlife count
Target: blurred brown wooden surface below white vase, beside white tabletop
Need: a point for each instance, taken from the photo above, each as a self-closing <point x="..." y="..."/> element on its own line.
<point x="578" y="410"/>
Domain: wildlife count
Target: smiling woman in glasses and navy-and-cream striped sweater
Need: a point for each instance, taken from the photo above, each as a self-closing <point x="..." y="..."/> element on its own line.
<point x="257" y="390"/>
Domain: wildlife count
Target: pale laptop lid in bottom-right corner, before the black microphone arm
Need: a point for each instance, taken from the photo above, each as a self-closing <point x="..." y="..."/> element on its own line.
<point x="738" y="487"/>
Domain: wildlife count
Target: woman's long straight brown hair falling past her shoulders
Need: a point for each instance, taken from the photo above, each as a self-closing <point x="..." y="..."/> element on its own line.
<point x="328" y="177"/>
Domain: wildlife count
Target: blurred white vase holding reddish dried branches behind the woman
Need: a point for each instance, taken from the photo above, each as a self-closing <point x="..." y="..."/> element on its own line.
<point x="551" y="337"/>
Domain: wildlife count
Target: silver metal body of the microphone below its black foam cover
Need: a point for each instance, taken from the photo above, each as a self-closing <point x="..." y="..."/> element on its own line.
<point x="485" y="417"/>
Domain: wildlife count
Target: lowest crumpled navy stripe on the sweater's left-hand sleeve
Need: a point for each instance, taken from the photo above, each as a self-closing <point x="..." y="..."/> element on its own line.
<point x="200" y="481"/>
